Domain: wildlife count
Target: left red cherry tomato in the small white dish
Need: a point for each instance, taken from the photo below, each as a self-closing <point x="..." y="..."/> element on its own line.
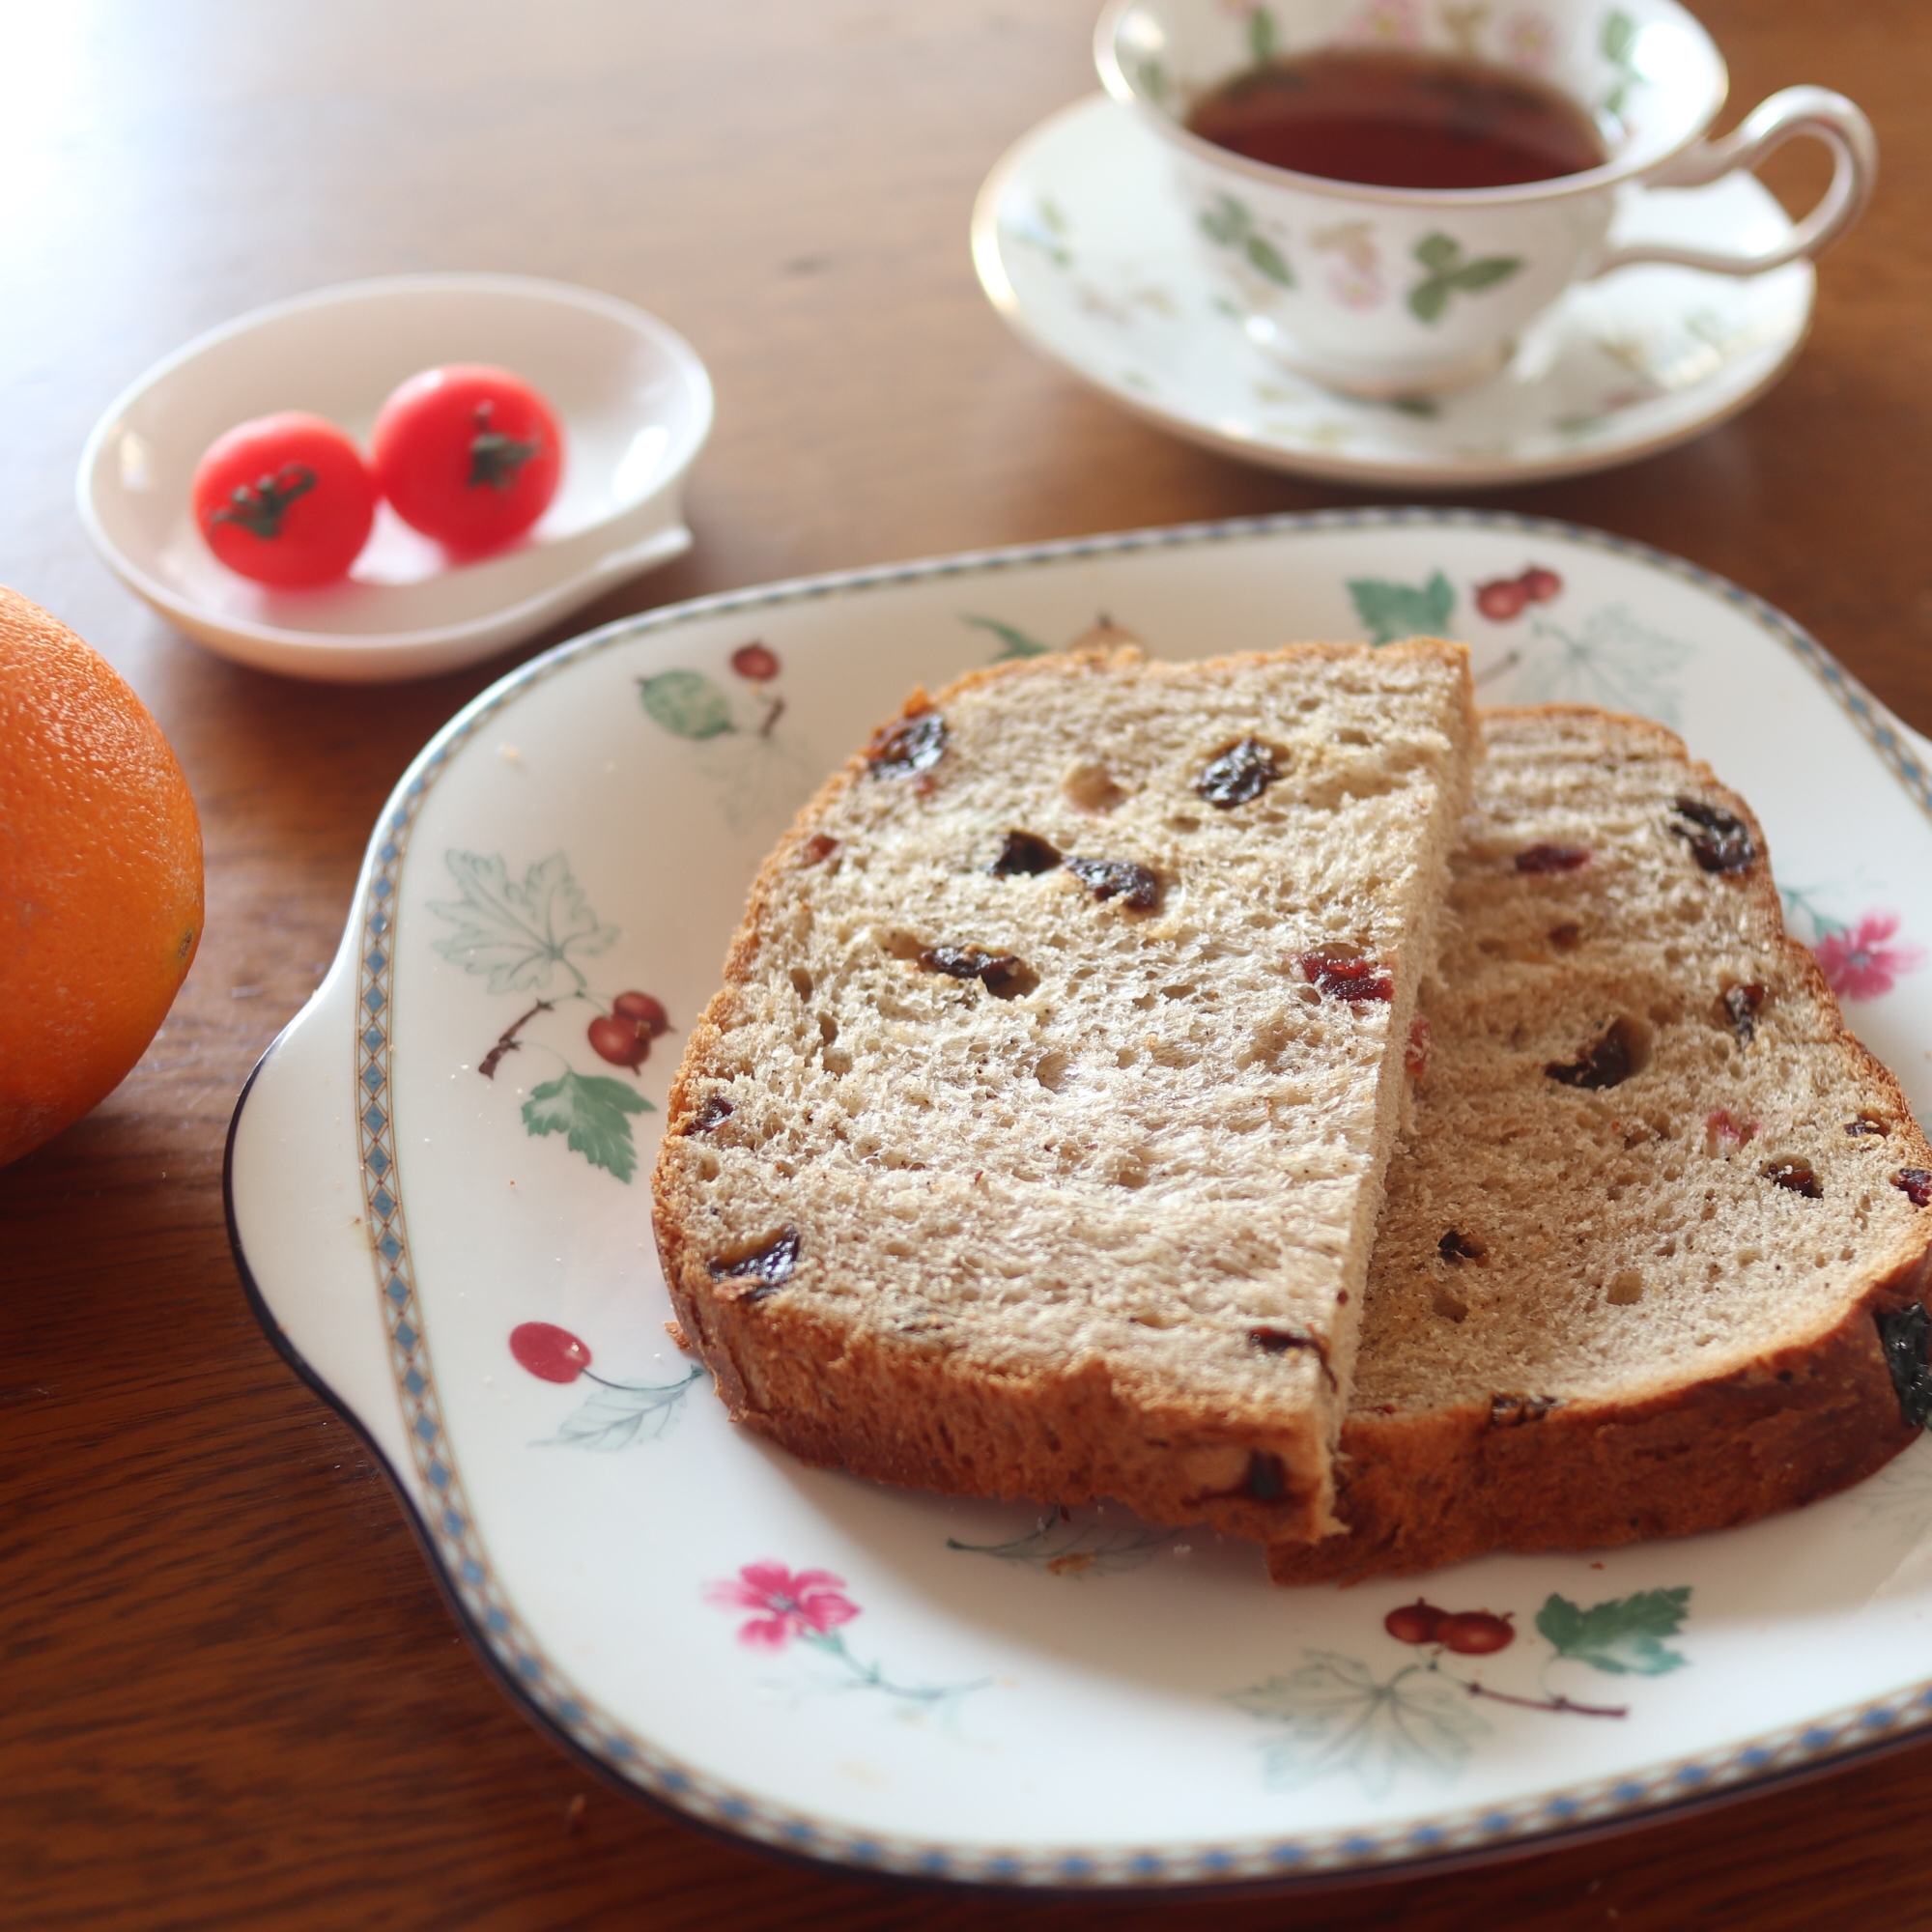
<point x="285" y="499"/>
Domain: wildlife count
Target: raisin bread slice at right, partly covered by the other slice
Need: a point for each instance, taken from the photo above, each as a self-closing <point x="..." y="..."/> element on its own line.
<point x="1659" y="1210"/>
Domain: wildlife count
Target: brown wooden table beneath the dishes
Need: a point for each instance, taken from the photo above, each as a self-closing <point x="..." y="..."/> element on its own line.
<point x="231" y="1693"/>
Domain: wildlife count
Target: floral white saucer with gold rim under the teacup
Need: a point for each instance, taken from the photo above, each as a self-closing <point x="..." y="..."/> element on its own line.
<point x="1085" y="250"/>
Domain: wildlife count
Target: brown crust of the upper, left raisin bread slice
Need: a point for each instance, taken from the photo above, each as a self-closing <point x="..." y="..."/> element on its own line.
<point x="838" y="1394"/>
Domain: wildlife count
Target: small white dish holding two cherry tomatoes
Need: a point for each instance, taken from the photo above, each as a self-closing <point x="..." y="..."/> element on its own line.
<point x="633" y="397"/>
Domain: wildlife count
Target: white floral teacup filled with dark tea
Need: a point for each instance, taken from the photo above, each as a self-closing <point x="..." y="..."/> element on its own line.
<point x="1409" y="291"/>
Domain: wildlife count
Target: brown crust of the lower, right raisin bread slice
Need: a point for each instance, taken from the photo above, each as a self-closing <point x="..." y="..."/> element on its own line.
<point x="1796" y="1423"/>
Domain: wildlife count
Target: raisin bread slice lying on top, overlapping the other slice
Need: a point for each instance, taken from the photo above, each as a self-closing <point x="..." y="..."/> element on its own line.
<point x="1035" y="1143"/>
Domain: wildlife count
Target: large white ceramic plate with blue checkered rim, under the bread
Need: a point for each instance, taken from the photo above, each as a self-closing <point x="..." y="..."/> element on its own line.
<point x="950" y="1688"/>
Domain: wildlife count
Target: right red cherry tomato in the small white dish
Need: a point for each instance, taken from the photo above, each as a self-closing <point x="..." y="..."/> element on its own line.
<point x="469" y="455"/>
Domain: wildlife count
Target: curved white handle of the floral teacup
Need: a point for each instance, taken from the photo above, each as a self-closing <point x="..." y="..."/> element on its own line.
<point x="1786" y="115"/>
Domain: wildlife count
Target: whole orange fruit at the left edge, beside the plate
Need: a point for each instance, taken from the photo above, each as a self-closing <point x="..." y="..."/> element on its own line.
<point x="99" y="878"/>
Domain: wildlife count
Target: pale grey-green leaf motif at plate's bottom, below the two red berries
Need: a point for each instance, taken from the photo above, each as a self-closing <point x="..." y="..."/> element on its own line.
<point x="1344" y="1719"/>
